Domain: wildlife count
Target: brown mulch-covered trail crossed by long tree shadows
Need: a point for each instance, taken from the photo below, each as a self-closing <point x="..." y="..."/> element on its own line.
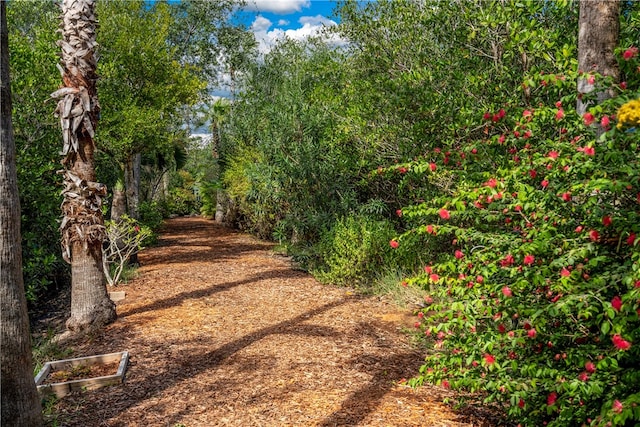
<point x="222" y="331"/>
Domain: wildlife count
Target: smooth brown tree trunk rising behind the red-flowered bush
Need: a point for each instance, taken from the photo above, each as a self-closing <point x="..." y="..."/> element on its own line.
<point x="599" y="28"/>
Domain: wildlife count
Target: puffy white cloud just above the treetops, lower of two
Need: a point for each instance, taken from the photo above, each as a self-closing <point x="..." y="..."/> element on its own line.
<point x="311" y="26"/>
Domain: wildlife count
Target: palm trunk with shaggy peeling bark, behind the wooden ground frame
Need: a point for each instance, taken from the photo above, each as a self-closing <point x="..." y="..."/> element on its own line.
<point x="82" y="225"/>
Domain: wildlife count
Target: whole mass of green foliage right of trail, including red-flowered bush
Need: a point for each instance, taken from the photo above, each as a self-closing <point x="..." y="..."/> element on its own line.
<point x="454" y="124"/>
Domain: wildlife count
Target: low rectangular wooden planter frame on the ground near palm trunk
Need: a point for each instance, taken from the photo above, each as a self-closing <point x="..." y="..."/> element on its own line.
<point x="62" y="388"/>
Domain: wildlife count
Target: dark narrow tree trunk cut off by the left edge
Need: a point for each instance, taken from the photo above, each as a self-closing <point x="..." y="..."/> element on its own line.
<point x="20" y="403"/>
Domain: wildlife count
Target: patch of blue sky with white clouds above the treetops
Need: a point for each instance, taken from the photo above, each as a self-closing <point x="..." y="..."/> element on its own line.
<point x="273" y="19"/>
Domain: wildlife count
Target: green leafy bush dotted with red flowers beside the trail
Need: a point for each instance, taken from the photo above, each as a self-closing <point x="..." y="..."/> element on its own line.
<point x="536" y="303"/>
